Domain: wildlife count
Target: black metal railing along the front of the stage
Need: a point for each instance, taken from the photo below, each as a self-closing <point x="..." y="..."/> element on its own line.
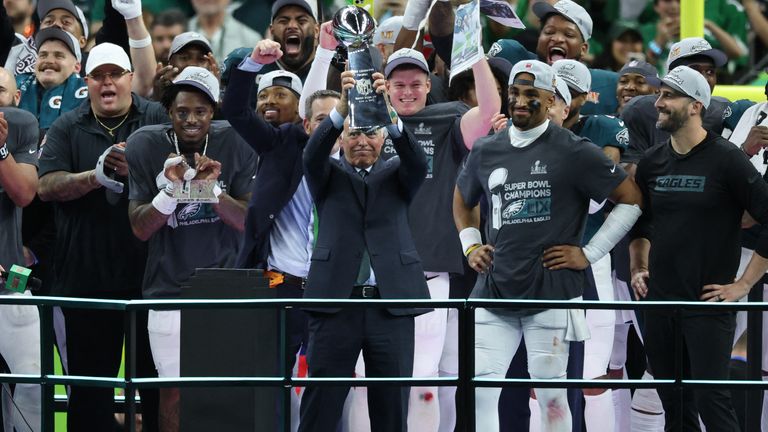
<point x="466" y="382"/>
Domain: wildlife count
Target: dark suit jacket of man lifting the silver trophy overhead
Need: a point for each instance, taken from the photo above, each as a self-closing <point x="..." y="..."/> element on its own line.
<point x="356" y="214"/>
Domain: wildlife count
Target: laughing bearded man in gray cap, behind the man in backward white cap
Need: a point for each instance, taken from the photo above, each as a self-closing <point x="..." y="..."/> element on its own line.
<point x="566" y="28"/>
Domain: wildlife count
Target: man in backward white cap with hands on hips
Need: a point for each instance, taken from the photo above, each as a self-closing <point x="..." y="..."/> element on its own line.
<point x="538" y="179"/>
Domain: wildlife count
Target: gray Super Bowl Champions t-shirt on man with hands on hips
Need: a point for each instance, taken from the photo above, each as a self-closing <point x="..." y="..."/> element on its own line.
<point x="538" y="197"/>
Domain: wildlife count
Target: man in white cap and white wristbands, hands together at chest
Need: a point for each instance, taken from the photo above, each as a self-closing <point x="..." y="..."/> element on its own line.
<point x="217" y="153"/>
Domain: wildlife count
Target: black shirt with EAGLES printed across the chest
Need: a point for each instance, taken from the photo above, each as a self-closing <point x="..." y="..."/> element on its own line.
<point x="692" y="215"/>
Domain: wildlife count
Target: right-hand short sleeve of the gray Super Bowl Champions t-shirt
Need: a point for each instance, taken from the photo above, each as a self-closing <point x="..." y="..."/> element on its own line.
<point x="603" y="175"/>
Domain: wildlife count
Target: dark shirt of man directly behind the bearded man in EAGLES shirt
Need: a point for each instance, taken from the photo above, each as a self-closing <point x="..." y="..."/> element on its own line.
<point x="640" y="116"/>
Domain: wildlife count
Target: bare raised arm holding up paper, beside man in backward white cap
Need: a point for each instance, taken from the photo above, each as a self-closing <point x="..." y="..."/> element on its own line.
<point x="477" y="122"/>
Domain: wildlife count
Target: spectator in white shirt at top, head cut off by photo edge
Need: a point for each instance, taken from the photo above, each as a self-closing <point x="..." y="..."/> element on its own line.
<point x="214" y="20"/>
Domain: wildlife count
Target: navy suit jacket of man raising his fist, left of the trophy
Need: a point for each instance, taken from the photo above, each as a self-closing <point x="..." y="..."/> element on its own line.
<point x="279" y="169"/>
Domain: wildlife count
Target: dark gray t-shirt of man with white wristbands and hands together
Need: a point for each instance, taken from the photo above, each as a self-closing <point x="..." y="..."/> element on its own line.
<point x="194" y="237"/>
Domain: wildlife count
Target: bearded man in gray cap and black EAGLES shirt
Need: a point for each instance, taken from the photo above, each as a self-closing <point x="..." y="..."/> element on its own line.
<point x="698" y="180"/>
